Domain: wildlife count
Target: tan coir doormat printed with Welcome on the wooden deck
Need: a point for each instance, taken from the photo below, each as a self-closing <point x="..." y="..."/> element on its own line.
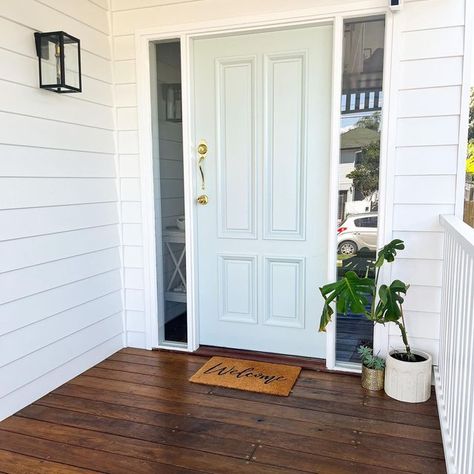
<point x="262" y="377"/>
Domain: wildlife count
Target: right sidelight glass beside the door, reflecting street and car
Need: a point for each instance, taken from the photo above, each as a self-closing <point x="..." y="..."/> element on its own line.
<point x="361" y="105"/>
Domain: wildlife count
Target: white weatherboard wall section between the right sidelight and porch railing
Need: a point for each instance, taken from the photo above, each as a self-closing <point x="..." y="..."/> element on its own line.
<point x="428" y="86"/>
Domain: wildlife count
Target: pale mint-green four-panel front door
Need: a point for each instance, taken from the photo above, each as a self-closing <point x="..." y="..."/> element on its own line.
<point x="262" y="104"/>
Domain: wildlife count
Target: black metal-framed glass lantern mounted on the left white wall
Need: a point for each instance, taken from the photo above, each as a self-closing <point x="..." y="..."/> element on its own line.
<point x="59" y="56"/>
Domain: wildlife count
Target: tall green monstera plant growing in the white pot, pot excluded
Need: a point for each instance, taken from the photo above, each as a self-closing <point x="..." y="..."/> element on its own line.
<point x="363" y="295"/>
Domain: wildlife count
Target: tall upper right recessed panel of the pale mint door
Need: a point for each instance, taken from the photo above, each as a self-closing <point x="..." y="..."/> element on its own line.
<point x="285" y="138"/>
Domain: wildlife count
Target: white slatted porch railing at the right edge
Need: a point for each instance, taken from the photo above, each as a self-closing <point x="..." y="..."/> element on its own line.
<point x="455" y="373"/>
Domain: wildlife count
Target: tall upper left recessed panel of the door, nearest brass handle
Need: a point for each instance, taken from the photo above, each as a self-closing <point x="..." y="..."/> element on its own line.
<point x="235" y="123"/>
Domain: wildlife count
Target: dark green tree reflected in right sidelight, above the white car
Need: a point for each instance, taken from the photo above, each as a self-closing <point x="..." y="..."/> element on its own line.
<point x="365" y="176"/>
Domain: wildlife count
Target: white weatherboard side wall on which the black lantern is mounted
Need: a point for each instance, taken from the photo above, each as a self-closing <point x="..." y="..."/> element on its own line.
<point x="60" y="265"/>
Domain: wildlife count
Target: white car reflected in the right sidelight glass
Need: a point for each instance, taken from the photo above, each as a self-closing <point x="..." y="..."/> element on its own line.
<point x="356" y="232"/>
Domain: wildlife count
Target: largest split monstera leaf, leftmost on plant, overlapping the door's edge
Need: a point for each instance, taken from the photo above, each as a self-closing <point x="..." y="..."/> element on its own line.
<point x="350" y="294"/>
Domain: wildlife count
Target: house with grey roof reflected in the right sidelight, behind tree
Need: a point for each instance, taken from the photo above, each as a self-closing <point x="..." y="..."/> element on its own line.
<point x="351" y="200"/>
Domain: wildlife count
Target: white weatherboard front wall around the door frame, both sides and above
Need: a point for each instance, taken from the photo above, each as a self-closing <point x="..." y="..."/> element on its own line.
<point x="423" y="135"/>
